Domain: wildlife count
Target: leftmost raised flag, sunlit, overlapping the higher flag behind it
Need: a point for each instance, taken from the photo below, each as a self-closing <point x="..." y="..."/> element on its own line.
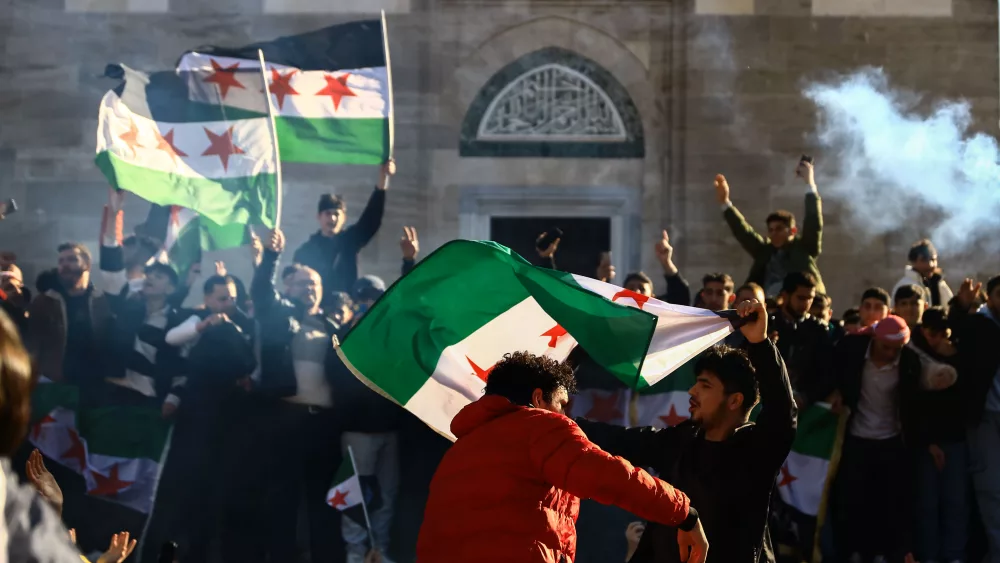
<point x="155" y="142"/>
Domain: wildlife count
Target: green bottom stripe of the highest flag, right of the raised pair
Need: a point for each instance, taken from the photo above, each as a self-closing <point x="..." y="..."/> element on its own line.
<point x="333" y="141"/>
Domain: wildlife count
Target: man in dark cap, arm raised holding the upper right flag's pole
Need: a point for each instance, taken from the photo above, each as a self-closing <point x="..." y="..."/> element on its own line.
<point x="333" y="250"/>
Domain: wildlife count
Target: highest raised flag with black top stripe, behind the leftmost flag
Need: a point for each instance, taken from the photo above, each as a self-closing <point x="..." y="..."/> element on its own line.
<point x="330" y="90"/>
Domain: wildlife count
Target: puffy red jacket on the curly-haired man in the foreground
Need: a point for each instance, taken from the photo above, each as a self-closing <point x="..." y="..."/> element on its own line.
<point x="509" y="489"/>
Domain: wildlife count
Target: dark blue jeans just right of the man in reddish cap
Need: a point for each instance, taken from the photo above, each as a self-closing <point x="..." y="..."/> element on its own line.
<point x="943" y="505"/>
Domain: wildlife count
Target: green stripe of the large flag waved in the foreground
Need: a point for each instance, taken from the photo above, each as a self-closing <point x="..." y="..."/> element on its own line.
<point x="463" y="286"/>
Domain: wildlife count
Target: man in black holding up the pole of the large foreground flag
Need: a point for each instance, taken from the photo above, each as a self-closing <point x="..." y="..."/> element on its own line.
<point x="726" y="464"/>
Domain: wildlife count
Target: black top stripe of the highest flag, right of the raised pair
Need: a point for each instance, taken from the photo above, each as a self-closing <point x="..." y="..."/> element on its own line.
<point x="349" y="45"/>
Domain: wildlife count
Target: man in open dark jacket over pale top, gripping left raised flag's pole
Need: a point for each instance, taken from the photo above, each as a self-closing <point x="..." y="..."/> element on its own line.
<point x="298" y="363"/>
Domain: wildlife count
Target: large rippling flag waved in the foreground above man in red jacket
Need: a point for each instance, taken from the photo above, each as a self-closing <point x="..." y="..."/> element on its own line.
<point x="430" y="342"/>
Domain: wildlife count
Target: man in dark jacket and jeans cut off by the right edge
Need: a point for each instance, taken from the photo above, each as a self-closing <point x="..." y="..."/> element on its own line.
<point x="979" y="369"/>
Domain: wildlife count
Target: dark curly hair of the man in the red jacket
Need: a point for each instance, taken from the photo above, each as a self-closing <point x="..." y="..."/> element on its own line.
<point x="518" y="374"/>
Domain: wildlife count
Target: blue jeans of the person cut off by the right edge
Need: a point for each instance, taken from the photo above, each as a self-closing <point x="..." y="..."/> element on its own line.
<point x="984" y="463"/>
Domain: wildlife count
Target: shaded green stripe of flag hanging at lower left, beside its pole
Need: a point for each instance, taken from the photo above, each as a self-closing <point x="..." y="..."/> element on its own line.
<point x="125" y="432"/>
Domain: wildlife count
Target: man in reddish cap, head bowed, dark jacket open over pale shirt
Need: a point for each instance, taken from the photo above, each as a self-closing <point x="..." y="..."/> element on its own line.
<point x="878" y="378"/>
